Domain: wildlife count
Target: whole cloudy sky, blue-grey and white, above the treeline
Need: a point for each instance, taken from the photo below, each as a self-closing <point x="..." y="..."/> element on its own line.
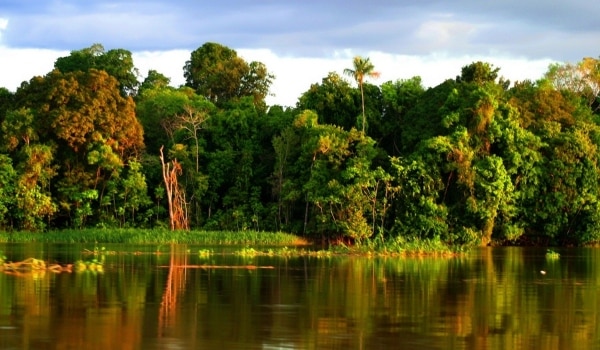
<point x="301" y="41"/>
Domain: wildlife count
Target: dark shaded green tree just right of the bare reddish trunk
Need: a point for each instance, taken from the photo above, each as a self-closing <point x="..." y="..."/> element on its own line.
<point x="235" y="176"/>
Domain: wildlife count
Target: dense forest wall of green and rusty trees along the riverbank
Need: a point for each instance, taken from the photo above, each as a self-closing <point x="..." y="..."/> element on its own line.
<point x="474" y="160"/>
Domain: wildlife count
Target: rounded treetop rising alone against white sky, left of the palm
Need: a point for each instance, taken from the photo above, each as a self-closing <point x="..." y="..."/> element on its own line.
<point x="216" y="72"/>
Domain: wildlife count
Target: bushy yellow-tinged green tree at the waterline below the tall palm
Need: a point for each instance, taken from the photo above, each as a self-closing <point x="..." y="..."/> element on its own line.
<point x="332" y="171"/>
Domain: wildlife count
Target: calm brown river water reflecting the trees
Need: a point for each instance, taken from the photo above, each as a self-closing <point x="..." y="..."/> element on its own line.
<point x="153" y="297"/>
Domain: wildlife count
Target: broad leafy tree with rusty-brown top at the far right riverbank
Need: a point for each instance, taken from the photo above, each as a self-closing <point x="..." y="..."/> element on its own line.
<point x="560" y="202"/>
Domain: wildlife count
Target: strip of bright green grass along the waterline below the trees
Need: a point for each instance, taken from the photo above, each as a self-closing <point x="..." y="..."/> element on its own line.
<point x="251" y="243"/>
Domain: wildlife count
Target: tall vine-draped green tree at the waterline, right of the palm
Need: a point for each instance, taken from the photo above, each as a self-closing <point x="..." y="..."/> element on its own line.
<point x="467" y="195"/>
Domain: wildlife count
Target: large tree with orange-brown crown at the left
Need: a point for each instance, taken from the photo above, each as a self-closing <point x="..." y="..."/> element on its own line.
<point x="91" y="126"/>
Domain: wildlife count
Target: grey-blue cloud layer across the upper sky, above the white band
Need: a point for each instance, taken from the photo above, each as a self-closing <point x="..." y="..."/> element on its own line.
<point x="530" y="28"/>
